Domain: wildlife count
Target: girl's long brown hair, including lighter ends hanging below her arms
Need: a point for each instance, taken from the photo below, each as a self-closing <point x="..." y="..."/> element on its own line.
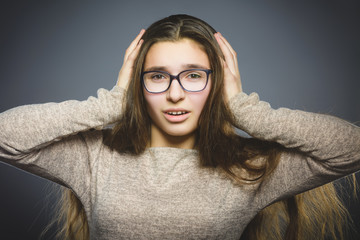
<point x="219" y="147"/>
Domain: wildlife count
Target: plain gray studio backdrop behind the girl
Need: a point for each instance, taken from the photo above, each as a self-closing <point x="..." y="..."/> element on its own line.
<point x="302" y="55"/>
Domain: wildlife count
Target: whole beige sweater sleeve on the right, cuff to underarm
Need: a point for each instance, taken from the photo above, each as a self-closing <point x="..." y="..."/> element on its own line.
<point x="318" y="148"/>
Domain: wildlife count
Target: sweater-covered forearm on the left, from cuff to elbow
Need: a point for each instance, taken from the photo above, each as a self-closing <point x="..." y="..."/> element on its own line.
<point x="26" y="128"/>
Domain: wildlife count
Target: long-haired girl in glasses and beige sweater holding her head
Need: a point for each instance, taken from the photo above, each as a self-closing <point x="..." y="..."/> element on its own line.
<point x="172" y="166"/>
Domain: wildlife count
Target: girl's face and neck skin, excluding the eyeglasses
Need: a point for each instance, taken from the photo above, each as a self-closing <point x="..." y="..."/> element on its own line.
<point x="175" y="113"/>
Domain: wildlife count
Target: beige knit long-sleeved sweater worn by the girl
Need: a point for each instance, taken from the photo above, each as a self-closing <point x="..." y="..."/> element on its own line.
<point x="163" y="193"/>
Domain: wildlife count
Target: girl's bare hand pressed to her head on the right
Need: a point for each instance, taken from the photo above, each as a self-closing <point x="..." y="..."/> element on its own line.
<point x="232" y="81"/>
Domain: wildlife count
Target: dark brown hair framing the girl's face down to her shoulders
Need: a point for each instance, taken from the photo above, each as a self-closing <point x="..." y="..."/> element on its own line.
<point x="216" y="140"/>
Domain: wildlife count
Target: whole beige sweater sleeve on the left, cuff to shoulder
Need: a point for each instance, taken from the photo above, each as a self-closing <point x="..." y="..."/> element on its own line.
<point x="54" y="140"/>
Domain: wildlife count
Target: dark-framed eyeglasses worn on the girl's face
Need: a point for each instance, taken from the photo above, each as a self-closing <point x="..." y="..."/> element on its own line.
<point x="192" y="80"/>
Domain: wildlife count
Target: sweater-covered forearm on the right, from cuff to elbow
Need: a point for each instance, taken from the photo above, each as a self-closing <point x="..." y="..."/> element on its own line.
<point x="321" y="137"/>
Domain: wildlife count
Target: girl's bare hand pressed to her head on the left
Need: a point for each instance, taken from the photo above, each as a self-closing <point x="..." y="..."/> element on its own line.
<point x="128" y="64"/>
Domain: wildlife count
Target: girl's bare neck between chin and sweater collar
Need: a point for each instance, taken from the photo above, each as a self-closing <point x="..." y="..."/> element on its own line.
<point x="162" y="139"/>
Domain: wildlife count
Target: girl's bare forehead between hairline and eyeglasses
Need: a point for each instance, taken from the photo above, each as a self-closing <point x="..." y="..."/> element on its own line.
<point x="175" y="56"/>
